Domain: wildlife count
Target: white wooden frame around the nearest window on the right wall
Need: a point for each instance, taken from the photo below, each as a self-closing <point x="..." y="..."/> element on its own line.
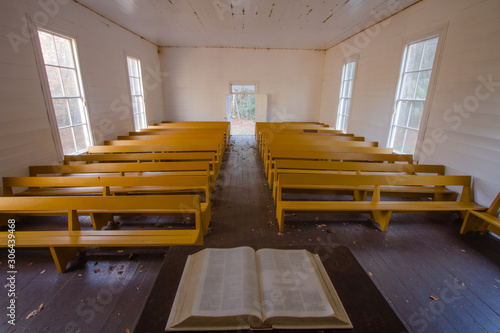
<point x="431" y="33"/>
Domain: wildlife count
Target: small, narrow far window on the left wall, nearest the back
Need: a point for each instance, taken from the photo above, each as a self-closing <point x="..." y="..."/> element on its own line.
<point x="137" y="93"/>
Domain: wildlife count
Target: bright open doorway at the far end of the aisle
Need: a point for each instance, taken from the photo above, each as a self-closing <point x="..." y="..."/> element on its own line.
<point x="240" y="109"/>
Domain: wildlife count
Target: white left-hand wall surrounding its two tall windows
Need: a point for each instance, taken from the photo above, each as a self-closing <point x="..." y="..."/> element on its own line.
<point x="25" y="135"/>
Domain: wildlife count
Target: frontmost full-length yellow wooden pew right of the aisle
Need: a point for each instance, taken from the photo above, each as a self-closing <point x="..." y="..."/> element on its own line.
<point x="379" y="210"/>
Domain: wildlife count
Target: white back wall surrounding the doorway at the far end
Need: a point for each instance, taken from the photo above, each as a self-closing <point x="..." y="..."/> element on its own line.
<point x="198" y="80"/>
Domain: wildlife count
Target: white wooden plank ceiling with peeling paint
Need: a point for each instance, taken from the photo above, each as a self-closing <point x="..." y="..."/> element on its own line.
<point x="281" y="24"/>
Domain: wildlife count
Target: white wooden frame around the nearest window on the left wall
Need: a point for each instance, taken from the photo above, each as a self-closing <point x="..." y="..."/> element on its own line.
<point x="44" y="81"/>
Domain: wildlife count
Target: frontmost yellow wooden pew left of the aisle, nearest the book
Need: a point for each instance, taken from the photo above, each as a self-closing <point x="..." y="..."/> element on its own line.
<point x="64" y="244"/>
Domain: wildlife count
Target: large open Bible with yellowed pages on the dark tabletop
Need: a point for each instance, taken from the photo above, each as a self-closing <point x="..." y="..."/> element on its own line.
<point x="239" y="288"/>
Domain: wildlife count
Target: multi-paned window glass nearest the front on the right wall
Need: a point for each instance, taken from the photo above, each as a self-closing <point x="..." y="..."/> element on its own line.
<point x="414" y="79"/>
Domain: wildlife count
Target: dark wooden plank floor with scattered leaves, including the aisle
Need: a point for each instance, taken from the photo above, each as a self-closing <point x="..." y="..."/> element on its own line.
<point x="421" y="255"/>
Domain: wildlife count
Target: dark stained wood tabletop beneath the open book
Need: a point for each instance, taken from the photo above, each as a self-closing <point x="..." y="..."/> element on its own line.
<point x="365" y="305"/>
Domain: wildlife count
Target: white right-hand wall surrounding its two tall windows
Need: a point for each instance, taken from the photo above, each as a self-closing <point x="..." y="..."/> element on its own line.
<point x="467" y="142"/>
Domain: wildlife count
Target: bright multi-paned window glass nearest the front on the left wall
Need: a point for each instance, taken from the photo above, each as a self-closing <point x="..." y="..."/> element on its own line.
<point x="68" y="101"/>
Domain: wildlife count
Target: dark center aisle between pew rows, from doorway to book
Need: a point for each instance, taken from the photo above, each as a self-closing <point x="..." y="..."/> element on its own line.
<point x="243" y="209"/>
